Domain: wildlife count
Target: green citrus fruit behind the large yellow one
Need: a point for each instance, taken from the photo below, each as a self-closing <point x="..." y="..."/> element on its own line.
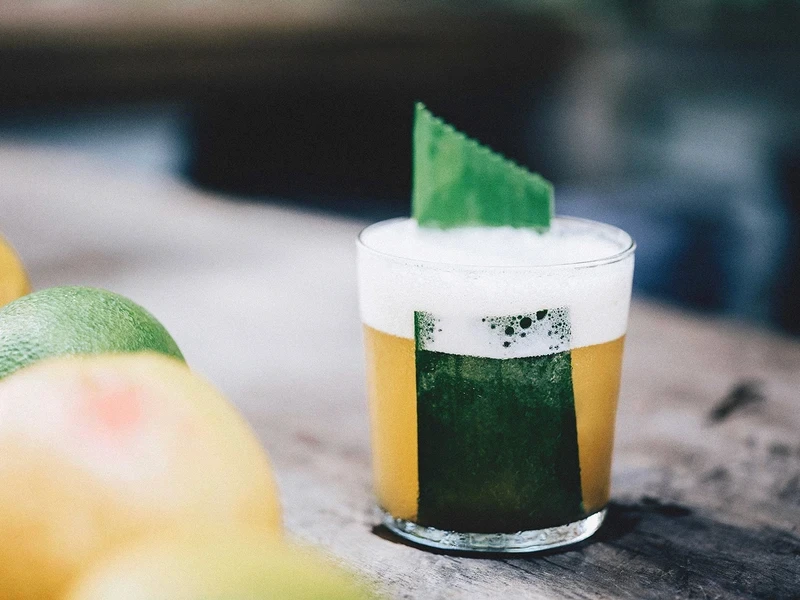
<point x="76" y="320"/>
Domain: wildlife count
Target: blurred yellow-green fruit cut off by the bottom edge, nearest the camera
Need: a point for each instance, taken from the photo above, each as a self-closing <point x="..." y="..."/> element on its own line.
<point x="234" y="568"/>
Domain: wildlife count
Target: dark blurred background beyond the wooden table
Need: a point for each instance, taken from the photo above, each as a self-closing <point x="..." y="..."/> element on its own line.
<point x="678" y="120"/>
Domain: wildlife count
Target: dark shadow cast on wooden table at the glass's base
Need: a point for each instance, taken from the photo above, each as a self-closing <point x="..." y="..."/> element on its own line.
<point x="652" y="549"/>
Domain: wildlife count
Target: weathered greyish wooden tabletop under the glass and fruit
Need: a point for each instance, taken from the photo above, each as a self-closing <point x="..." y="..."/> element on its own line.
<point x="262" y="299"/>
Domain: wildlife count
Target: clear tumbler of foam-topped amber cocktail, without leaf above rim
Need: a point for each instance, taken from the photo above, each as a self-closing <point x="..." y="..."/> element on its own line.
<point x="493" y="364"/>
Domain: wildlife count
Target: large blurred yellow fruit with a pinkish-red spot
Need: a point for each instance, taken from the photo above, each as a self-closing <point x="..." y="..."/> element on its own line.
<point x="97" y="451"/>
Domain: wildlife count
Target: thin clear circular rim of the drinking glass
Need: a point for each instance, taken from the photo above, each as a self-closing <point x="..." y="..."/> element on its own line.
<point x="594" y="262"/>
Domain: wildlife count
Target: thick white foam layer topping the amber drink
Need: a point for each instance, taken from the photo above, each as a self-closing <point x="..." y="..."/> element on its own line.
<point x="473" y="273"/>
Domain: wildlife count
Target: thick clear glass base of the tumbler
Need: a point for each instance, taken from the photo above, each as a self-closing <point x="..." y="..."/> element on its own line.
<point x="534" y="540"/>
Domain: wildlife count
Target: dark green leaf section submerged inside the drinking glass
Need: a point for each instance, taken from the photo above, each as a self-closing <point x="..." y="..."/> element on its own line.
<point x="497" y="438"/>
